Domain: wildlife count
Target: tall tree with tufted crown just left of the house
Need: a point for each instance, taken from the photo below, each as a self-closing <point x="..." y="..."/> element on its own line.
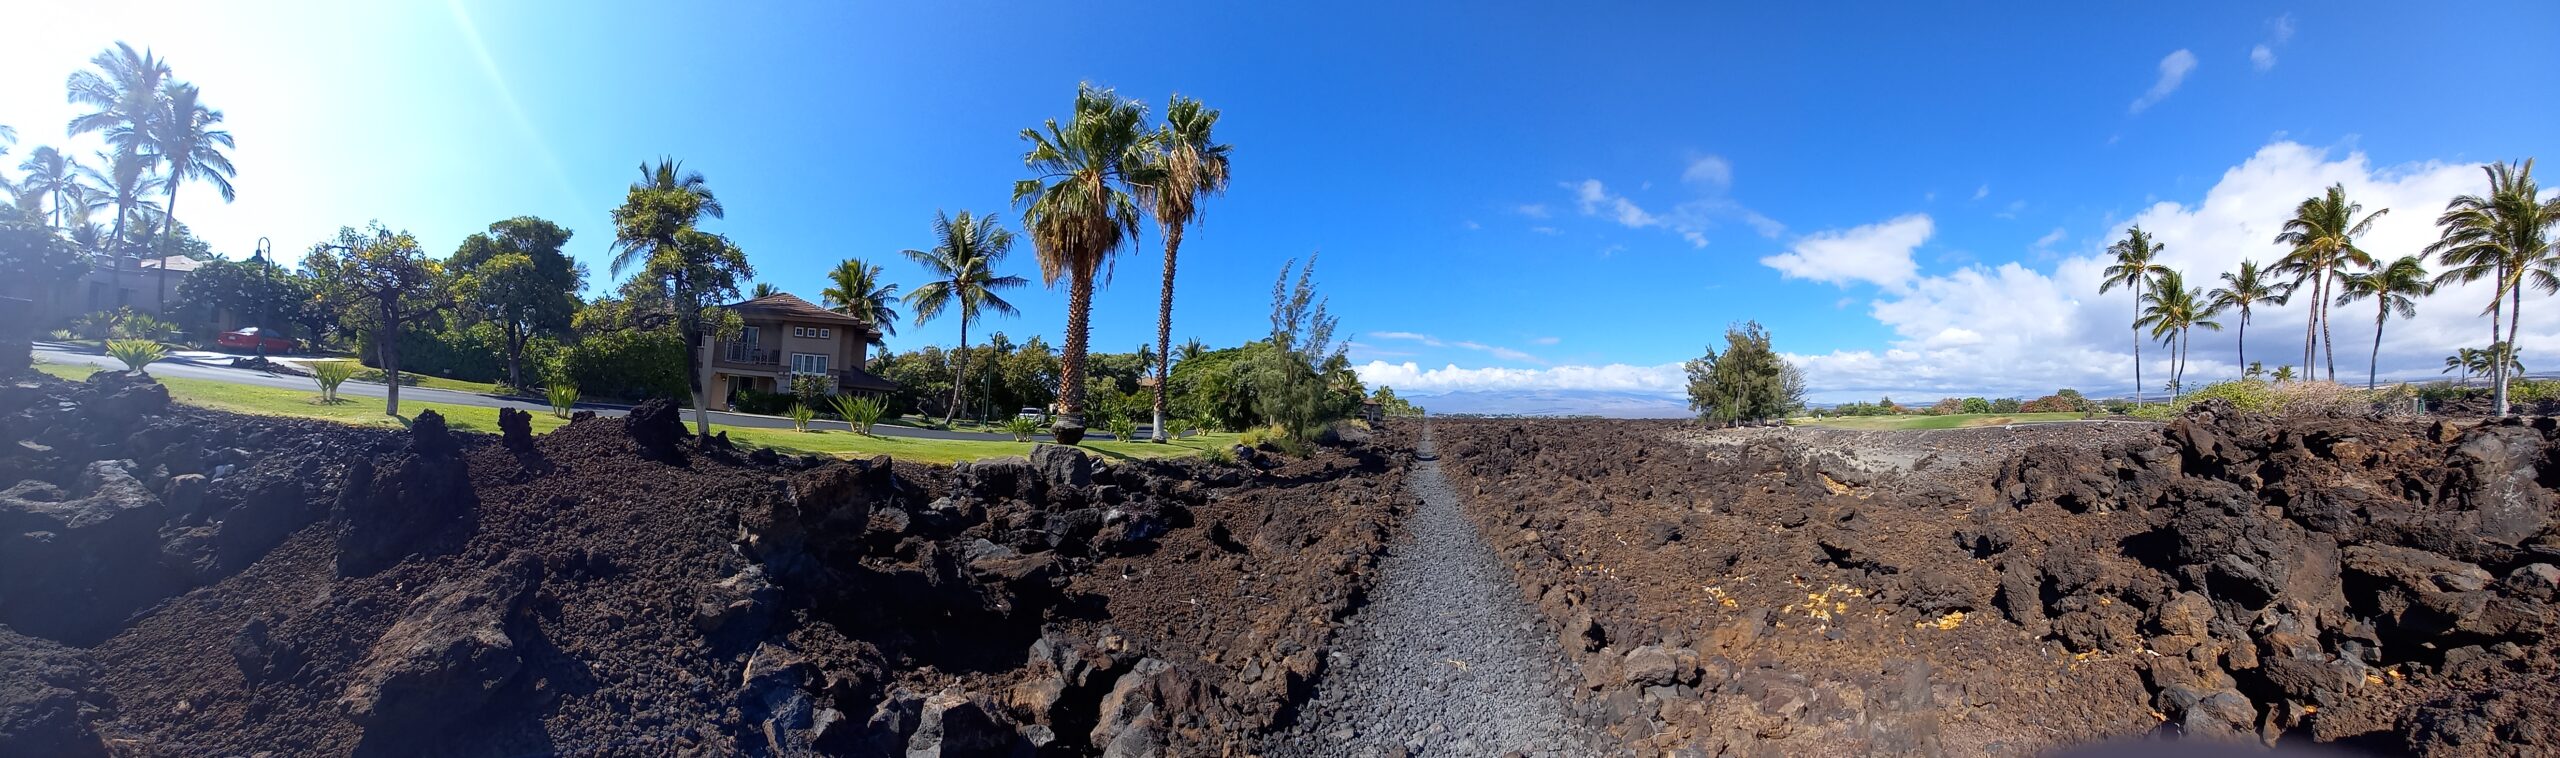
<point x="685" y="268"/>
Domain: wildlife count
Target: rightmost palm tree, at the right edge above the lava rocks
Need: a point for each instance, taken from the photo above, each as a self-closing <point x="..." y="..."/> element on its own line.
<point x="2505" y="237"/>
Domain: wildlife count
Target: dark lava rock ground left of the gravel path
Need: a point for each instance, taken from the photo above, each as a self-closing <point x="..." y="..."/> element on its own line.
<point x="613" y="590"/>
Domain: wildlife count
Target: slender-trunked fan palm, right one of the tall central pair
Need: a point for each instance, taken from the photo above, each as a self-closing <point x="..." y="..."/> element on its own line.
<point x="1189" y="165"/>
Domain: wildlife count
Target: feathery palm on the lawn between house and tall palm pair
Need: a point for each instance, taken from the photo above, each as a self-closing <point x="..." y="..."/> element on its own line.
<point x="964" y="268"/>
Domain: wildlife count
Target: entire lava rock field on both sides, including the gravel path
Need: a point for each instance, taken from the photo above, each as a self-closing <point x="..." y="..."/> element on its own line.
<point x="188" y="583"/>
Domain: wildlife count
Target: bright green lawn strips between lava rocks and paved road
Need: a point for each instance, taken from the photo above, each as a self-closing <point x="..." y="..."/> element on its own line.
<point x="367" y="411"/>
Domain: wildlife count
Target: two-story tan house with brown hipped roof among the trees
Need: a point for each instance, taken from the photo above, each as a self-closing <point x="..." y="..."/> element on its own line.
<point x="787" y="337"/>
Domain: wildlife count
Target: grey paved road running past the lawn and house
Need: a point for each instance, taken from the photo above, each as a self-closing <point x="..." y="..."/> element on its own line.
<point x="219" y="370"/>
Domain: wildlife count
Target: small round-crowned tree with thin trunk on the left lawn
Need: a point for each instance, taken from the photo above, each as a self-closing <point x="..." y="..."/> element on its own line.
<point x="385" y="283"/>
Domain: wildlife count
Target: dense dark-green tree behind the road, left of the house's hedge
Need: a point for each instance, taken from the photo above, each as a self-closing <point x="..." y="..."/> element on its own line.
<point x="518" y="280"/>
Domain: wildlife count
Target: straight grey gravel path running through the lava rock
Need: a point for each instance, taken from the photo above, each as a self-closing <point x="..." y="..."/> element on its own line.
<point x="1445" y="659"/>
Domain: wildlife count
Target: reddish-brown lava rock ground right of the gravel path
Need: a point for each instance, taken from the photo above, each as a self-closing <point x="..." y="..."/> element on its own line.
<point x="2333" y="580"/>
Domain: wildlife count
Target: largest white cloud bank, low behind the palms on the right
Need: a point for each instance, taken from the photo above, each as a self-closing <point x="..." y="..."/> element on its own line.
<point x="2029" y="332"/>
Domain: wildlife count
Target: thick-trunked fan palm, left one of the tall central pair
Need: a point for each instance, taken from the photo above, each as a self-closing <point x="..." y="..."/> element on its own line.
<point x="1079" y="211"/>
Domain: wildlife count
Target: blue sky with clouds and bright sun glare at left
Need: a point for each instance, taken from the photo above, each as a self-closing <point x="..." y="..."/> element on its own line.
<point x="1507" y="198"/>
